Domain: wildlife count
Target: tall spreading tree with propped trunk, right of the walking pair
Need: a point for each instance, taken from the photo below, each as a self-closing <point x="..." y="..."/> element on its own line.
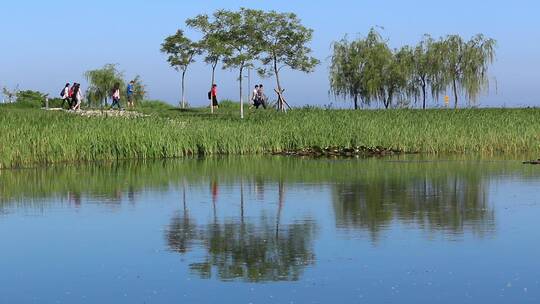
<point x="285" y="42"/>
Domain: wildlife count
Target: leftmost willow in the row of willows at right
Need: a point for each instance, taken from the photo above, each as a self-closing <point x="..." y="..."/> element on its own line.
<point x="347" y="70"/>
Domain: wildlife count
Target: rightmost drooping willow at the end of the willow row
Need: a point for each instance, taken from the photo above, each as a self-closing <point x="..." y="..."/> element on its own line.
<point x="467" y="63"/>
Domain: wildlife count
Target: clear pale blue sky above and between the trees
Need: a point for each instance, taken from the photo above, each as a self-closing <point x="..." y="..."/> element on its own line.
<point x="45" y="44"/>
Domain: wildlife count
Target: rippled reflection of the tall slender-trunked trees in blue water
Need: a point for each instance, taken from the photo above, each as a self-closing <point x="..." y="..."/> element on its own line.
<point x="245" y="249"/>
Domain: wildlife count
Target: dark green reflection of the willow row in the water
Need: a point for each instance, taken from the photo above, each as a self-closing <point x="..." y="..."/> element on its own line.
<point x="451" y="203"/>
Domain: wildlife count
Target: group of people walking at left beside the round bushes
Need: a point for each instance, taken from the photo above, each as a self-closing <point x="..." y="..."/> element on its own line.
<point x="72" y="95"/>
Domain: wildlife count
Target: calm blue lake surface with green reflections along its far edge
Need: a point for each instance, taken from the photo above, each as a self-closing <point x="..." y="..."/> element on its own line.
<point x="272" y="230"/>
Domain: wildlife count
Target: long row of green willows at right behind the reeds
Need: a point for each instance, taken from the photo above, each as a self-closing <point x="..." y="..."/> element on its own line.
<point x="367" y="70"/>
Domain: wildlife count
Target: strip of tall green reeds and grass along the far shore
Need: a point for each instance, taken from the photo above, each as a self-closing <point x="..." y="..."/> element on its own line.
<point x="32" y="136"/>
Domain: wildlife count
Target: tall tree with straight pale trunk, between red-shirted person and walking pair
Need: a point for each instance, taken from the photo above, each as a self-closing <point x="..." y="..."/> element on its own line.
<point x="241" y="36"/>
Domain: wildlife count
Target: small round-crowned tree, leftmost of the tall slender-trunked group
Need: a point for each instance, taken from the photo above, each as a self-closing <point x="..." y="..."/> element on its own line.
<point x="181" y="52"/>
